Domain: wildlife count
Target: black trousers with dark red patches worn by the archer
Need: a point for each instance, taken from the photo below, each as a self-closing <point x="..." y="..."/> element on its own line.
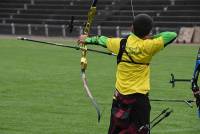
<point x="130" y="114"/>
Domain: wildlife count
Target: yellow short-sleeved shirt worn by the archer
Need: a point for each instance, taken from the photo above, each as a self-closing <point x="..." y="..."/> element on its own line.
<point x="134" y="78"/>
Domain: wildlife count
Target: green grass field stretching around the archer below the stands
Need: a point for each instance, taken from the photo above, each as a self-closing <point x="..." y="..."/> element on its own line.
<point x="41" y="90"/>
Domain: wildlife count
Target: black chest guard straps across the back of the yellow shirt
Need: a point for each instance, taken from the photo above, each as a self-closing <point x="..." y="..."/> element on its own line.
<point x="122" y="50"/>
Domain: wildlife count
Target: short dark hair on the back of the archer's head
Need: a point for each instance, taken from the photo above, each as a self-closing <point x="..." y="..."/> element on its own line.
<point x="142" y="25"/>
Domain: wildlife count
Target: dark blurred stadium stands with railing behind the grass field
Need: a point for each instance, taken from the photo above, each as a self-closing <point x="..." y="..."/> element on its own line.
<point x="53" y="17"/>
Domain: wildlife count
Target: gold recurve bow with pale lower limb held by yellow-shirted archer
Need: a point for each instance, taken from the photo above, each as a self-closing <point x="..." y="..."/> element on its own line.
<point x="86" y="31"/>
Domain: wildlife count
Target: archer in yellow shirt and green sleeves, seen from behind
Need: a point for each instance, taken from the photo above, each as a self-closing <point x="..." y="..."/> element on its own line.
<point x="130" y="112"/>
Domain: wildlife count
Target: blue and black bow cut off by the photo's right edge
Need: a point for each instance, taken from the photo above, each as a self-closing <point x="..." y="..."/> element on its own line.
<point x="194" y="82"/>
